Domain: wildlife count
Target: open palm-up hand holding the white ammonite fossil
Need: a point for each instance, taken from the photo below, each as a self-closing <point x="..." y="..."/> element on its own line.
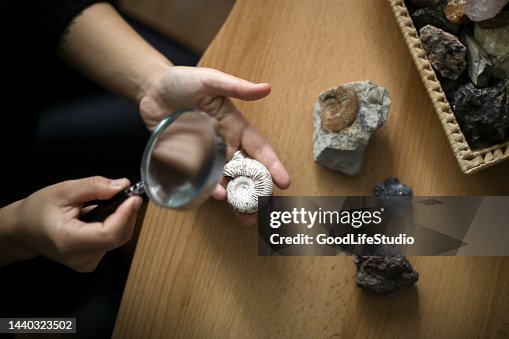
<point x="210" y="91"/>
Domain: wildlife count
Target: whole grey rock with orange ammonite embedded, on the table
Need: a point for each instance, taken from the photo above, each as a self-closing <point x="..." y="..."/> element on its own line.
<point x="339" y="144"/>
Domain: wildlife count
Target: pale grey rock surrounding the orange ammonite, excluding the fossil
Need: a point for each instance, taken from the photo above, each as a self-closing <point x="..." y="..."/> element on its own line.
<point x="344" y="151"/>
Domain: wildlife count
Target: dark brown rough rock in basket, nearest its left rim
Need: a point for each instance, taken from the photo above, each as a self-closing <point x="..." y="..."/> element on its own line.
<point x="444" y="50"/>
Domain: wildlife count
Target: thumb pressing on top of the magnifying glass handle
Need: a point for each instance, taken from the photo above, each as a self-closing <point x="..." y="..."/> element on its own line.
<point x="92" y="188"/>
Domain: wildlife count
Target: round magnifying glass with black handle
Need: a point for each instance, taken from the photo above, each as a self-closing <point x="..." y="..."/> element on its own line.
<point x="182" y="163"/>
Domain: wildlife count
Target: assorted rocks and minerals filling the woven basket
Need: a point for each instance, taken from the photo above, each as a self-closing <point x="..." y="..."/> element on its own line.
<point x="467" y="43"/>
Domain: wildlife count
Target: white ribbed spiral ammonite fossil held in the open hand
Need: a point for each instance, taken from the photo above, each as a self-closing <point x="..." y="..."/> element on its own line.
<point x="250" y="179"/>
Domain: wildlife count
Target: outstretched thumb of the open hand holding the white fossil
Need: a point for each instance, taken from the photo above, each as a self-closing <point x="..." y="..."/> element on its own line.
<point x="222" y="84"/>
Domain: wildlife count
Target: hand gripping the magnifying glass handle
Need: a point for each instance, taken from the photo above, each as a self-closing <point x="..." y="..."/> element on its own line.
<point x="46" y="223"/>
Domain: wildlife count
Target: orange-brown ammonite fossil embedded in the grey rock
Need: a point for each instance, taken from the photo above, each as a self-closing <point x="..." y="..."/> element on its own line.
<point x="338" y="109"/>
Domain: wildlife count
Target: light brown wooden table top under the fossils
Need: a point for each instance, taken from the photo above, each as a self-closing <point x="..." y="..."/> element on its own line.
<point x="197" y="274"/>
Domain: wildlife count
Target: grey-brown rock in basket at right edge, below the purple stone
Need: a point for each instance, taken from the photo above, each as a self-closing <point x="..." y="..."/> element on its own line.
<point x="493" y="35"/>
